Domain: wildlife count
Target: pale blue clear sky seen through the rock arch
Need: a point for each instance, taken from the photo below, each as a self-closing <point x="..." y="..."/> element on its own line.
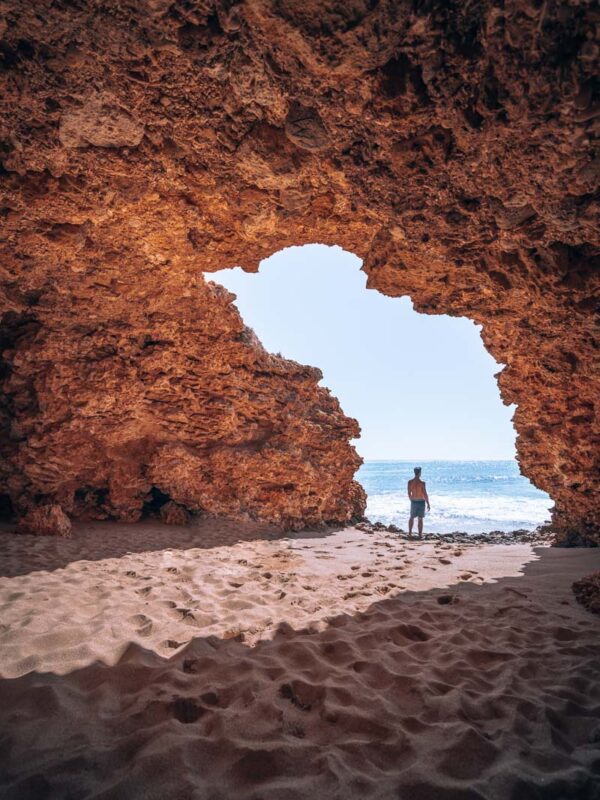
<point x="421" y="386"/>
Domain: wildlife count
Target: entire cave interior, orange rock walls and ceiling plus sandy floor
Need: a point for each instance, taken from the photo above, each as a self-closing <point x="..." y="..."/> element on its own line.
<point x="147" y="144"/>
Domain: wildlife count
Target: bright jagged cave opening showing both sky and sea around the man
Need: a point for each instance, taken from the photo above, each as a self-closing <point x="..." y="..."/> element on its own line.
<point x="422" y="387"/>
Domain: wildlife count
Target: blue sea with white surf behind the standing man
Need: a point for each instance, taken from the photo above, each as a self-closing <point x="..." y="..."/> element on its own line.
<point x="468" y="496"/>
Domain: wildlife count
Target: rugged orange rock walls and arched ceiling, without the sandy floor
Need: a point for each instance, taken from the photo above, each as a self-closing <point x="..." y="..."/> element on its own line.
<point x="144" y="143"/>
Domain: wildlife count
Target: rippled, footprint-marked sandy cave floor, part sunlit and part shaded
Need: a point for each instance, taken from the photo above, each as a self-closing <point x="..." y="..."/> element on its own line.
<point x="225" y="661"/>
